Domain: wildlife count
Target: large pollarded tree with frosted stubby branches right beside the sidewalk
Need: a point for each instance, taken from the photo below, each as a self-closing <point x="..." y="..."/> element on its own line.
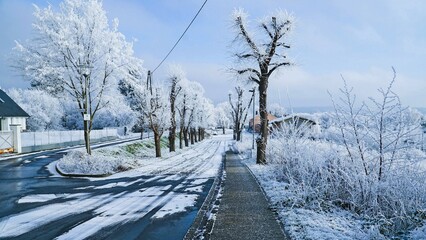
<point x="260" y="58"/>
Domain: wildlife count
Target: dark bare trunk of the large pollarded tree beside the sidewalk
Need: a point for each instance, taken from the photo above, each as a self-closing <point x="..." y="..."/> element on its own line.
<point x="261" y="144"/>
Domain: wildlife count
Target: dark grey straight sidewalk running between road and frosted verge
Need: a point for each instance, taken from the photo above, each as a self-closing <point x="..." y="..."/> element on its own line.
<point x="243" y="211"/>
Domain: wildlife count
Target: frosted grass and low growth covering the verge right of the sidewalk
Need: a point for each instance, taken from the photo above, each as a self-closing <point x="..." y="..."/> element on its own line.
<point x="314" y="192"/>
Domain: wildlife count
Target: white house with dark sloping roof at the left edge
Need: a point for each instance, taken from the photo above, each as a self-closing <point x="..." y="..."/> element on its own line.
<point x="11" y="113"/>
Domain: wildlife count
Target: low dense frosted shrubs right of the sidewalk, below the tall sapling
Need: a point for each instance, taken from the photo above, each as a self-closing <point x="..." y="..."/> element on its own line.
<point x="321" y="175"/>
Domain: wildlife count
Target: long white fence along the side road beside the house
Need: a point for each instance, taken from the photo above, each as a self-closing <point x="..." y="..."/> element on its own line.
<point x="36" y="141"/>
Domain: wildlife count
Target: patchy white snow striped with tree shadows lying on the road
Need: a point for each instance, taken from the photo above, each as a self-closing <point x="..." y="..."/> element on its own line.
<point x="155" y="188"/>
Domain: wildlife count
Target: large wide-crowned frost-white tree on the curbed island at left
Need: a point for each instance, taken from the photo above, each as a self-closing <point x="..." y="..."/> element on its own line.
<point x="75" y="52"/>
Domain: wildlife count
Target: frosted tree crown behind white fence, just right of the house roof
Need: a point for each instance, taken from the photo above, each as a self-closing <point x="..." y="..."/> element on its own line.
<point x="45" y="111"/>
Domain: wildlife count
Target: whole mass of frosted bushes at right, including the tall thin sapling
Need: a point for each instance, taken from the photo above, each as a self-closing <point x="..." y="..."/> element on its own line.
<point x="372" y="168"/>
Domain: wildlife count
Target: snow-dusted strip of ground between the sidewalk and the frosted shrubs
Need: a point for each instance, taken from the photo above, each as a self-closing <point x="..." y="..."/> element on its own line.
<point x="303" y="223"/>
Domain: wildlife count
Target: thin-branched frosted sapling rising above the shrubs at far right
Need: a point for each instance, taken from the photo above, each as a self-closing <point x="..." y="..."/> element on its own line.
<point x="375" y="132"/>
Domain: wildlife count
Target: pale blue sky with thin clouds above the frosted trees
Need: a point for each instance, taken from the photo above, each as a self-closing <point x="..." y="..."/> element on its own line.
<point x="359" y="39"/>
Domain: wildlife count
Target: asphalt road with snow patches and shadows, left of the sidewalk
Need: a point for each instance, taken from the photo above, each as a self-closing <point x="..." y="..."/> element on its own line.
<point x="36" y="204"/>
